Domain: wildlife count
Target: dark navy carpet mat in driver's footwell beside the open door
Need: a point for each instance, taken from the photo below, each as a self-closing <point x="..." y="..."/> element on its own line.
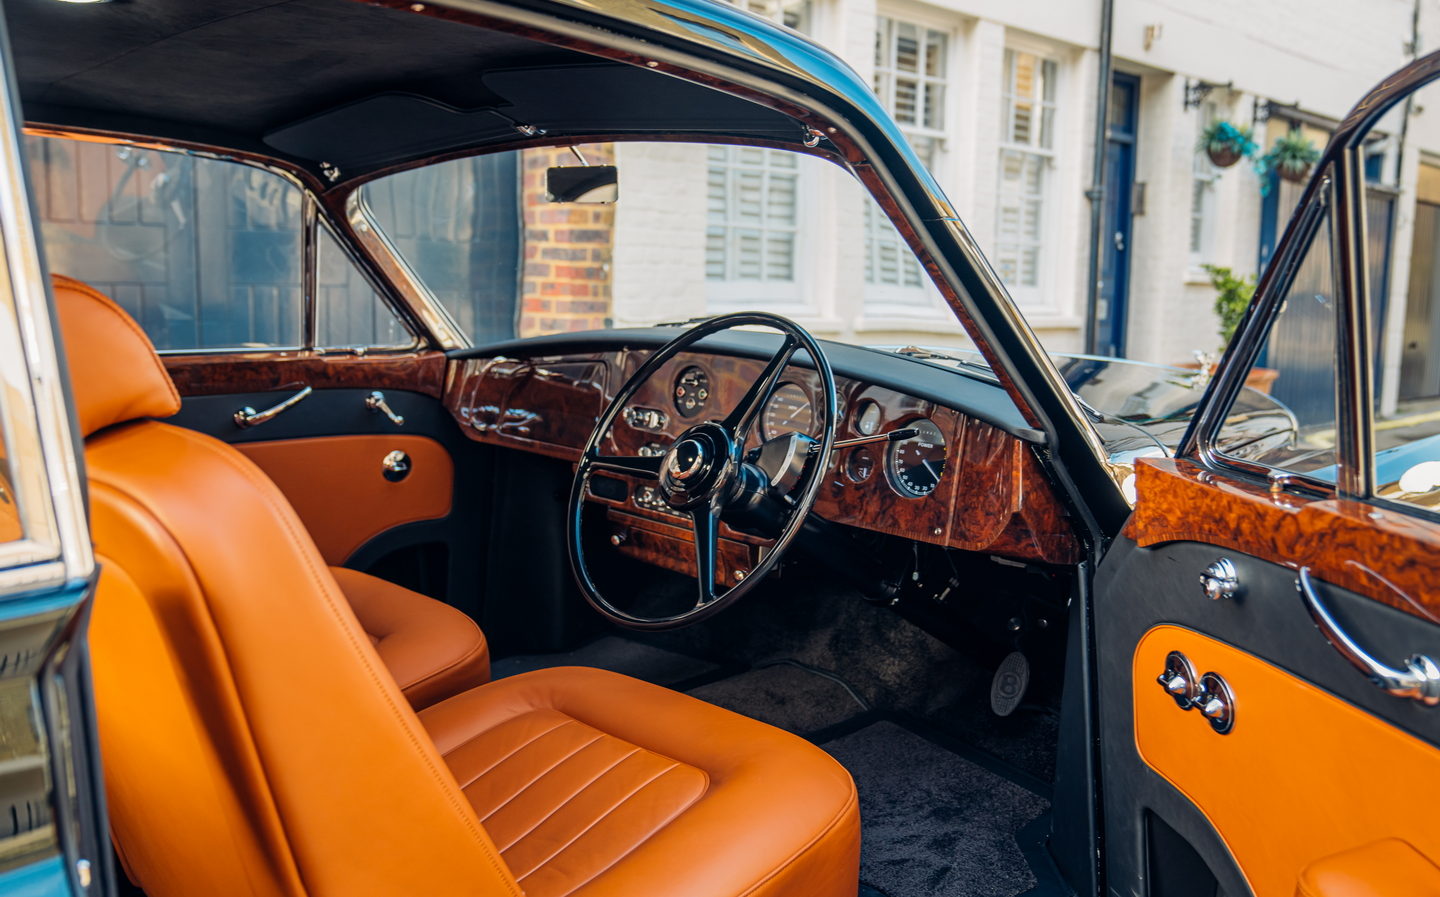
<point x="935" y="824"/>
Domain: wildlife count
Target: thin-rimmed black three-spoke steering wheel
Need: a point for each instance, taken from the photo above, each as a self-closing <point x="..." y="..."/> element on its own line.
<point x="708" y="477"/>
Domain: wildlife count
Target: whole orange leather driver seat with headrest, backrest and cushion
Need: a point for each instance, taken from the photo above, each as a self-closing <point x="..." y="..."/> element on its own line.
<point x="256" y="744"/>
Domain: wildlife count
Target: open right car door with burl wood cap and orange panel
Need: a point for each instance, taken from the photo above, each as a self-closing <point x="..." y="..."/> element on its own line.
<point x="1268" y="627"/>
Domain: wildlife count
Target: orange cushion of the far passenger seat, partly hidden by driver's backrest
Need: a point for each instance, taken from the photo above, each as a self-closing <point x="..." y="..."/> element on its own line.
<point x="431" y="649"/>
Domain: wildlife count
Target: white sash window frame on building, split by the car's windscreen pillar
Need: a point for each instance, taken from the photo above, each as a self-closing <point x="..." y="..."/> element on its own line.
<point x="896" y="305"/>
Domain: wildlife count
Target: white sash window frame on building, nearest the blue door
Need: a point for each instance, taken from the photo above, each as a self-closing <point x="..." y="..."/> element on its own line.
<point x="1038" y="300"/>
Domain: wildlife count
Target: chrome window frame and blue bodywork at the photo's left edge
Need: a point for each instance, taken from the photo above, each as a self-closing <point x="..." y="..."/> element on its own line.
<point x="54" y="837"/>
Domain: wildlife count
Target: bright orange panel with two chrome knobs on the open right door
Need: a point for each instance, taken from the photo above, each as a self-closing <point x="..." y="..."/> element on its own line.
<point x="1301" y="777"/>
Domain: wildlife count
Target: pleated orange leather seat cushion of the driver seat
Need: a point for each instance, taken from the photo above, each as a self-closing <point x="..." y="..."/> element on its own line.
<point x="600" y="785"/>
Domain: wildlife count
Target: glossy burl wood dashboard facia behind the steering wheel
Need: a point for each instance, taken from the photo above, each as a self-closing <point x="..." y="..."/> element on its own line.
<point x="994" y="496"/>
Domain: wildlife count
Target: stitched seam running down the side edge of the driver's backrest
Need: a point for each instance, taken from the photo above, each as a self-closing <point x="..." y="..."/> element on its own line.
<point x="263" y="489"/>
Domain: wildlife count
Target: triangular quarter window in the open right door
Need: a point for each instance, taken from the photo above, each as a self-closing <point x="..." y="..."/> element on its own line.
<point x="1285" y="418"/>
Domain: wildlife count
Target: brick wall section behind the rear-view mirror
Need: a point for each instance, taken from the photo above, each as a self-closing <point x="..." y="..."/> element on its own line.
<point x="568" y="250"/>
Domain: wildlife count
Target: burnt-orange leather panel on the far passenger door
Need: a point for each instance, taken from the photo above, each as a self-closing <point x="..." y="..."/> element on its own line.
<point x="338" y="484"/>
